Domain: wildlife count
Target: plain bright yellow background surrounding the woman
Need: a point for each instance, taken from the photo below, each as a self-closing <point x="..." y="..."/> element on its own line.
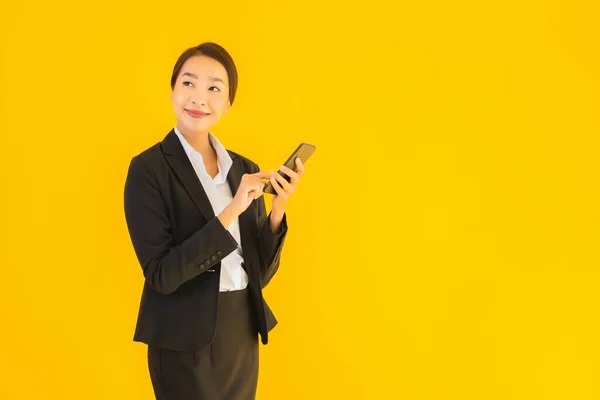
<point x="443" y="243"/>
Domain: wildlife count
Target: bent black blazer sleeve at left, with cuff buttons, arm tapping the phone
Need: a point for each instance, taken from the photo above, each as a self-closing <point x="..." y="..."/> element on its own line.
<point x="166" y="265"/>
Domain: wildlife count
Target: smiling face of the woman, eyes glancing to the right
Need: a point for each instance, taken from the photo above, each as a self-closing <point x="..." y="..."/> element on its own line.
<point x="202" y="86"/>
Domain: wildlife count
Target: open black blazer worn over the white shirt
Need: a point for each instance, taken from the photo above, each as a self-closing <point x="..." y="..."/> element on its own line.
<point x="180" y="243"/>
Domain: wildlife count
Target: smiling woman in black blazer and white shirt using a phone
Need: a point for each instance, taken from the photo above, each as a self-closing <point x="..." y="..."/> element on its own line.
<point x="197" y="220"/>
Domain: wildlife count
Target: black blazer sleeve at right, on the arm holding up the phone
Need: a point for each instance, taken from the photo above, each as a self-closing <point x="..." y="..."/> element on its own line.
<point x="270" y="244"/>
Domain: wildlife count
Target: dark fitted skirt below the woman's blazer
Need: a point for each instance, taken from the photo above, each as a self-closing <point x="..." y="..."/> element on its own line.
<point x="227" y="369"/>
